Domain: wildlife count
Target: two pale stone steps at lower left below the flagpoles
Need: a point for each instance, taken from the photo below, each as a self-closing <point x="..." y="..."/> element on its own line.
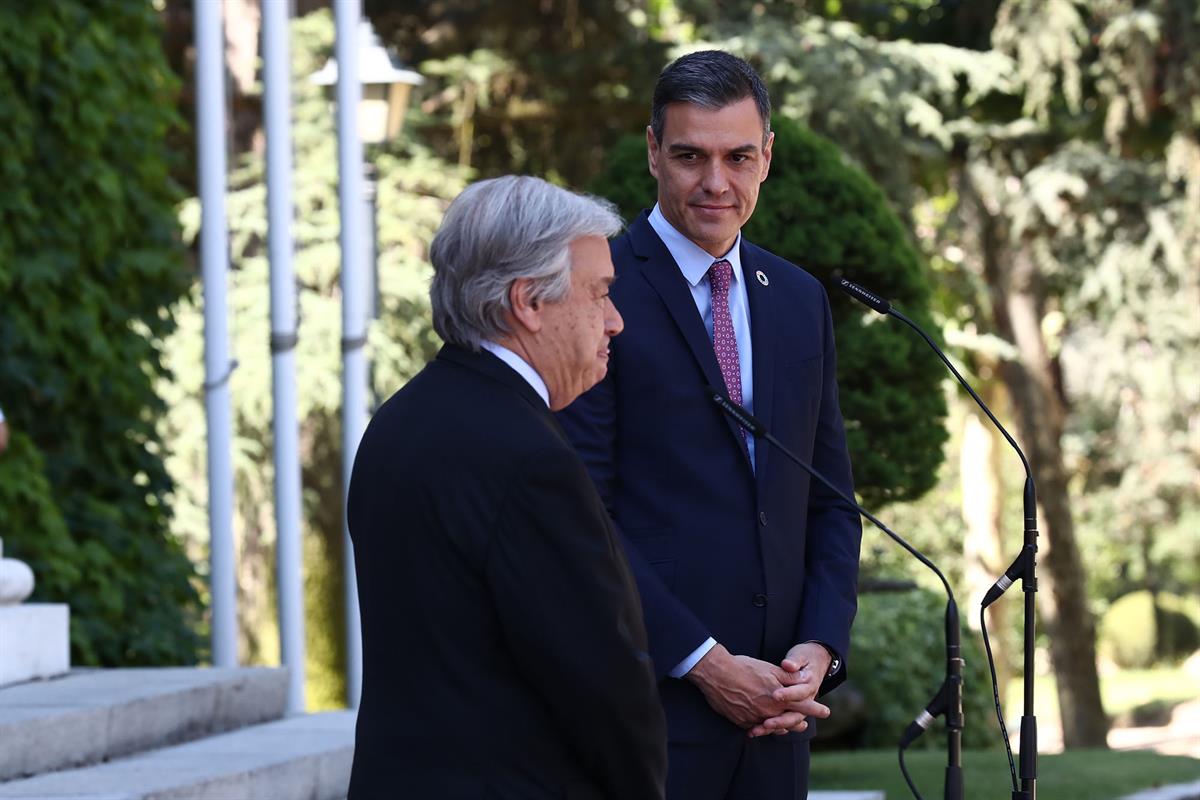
<point x="169" y="735"/>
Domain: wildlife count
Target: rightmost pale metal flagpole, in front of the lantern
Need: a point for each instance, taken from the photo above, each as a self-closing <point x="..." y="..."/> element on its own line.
<point x="347" y="15"/>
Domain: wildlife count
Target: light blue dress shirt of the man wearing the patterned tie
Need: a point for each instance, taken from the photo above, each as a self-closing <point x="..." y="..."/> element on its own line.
<point x="694" y="262"/>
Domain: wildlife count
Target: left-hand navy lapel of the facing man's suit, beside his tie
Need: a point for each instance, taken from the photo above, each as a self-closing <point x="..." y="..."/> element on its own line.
<point x="668" y="281"/>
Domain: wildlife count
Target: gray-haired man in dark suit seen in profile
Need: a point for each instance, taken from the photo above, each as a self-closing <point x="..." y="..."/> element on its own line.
<point x="505" y="652"/>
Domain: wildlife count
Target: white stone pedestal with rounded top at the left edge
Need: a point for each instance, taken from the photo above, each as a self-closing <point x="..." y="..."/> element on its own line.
<point x="35" y="639"/>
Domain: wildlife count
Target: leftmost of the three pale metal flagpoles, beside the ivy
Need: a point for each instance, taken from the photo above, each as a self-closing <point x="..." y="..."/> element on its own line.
<point x="211" y="136"/>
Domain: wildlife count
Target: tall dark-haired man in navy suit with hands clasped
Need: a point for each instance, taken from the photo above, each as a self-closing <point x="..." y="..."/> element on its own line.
<point x="747" y="569"/>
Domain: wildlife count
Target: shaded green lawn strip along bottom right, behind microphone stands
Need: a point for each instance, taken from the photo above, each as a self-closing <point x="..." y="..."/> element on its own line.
<point x="1075" y="775"/>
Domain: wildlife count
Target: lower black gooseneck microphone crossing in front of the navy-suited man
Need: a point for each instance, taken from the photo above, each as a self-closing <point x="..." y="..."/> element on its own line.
<point x="950" y="697"/>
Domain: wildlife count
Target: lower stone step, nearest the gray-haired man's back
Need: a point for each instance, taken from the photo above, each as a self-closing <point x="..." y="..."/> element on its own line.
<point x="305" y="757"/>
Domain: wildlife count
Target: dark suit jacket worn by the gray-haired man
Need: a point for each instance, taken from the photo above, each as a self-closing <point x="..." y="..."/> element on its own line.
<point x="503" y="647"/>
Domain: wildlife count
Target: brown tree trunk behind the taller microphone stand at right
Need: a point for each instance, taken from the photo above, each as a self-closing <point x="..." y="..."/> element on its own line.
<point x="1017" y="304"/>
